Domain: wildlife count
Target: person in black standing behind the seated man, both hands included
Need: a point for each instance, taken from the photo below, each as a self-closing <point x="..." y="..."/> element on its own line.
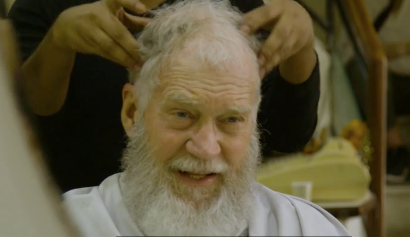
<point x="75" y="54"/>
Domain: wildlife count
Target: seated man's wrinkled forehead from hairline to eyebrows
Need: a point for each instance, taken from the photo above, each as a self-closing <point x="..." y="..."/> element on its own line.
<point x="189" y="78"/>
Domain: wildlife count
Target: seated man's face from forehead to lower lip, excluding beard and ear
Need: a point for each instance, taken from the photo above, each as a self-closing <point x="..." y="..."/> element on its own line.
<point x="199" y="114"/>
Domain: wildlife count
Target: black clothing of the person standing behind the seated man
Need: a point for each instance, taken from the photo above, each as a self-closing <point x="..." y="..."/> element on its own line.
<point x="85" y="139"/>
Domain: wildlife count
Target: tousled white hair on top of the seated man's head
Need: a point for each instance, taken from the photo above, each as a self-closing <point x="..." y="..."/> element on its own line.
<point x="212" y="26"/>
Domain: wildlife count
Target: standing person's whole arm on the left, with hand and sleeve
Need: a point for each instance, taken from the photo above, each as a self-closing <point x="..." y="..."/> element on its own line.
<point x="89" y="29"/>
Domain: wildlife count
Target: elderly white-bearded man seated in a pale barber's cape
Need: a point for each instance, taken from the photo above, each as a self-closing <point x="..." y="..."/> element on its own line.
<point x="193" y="151"/>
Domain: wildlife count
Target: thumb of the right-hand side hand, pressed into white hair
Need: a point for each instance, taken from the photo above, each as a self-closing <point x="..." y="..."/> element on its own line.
<point x="259" y="18"/>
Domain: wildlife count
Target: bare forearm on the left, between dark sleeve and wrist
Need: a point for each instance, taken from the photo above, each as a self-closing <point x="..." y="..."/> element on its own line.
<point x="46" y="76"/>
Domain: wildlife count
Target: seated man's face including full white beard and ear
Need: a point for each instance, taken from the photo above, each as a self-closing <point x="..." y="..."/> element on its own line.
<point x="192" y="154"/>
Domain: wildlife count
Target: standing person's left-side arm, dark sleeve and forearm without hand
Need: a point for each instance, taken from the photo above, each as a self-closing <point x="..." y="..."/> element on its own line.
<point x="46" y="68"/>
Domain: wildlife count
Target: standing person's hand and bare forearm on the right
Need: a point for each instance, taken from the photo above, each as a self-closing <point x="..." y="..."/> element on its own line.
<point x="290" y="44"/>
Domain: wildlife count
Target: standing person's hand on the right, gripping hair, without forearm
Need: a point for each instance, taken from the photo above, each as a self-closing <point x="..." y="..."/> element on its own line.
<point x="291" y="31"/>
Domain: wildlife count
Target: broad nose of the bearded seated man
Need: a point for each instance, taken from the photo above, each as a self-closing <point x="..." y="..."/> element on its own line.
<point x="204" y="143"/>
